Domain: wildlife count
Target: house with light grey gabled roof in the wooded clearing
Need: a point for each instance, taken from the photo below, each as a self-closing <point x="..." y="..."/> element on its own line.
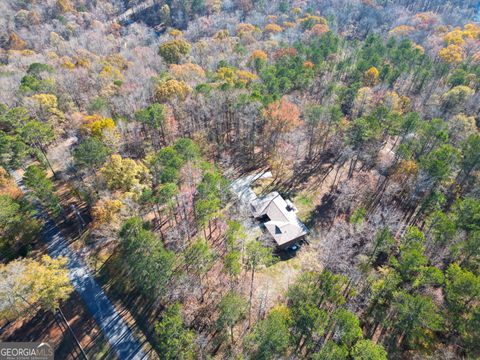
<point x="280" y="219"/>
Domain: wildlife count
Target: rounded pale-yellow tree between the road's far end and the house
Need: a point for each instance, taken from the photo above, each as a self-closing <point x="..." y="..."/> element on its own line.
<point x="124" y="174"/>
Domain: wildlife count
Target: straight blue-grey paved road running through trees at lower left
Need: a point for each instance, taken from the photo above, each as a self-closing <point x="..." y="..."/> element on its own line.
<point x="114" y="328"/>
